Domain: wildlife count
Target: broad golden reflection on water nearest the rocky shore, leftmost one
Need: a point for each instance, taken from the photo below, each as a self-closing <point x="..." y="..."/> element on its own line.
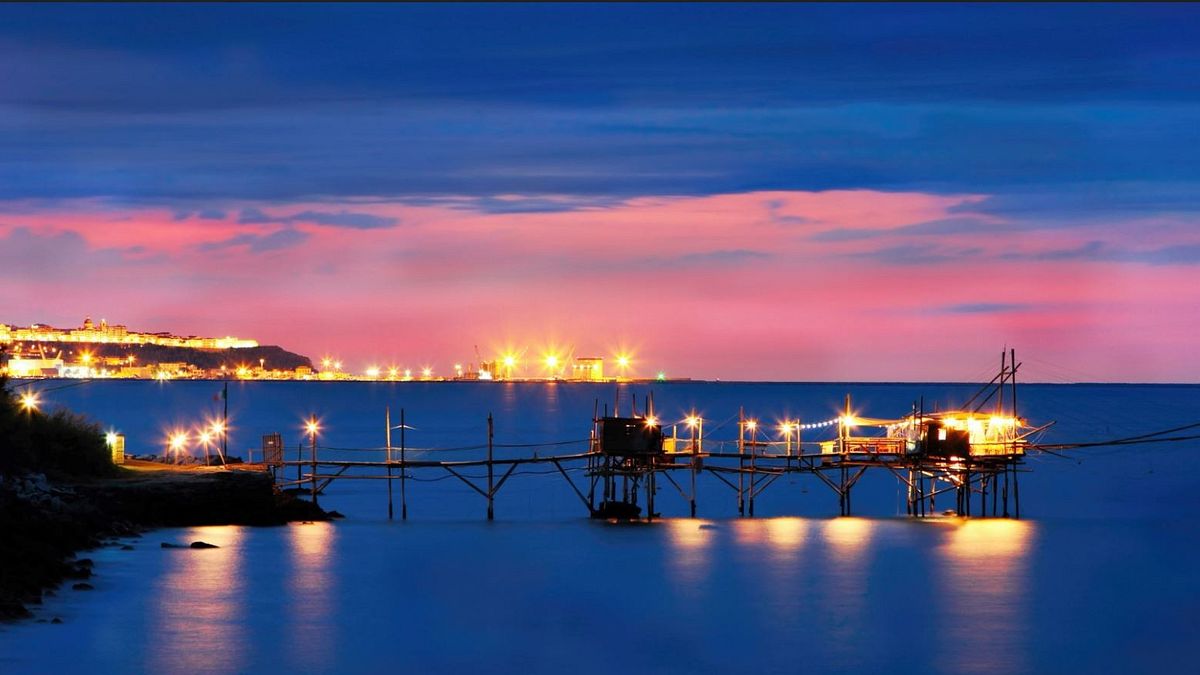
<point x="201" y="606"/>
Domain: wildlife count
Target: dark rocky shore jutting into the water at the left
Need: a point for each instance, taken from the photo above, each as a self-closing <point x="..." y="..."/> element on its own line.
<point x="44" y="524"/>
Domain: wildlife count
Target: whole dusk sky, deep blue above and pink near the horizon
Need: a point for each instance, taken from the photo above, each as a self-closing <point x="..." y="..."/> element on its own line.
<point x="843" y="193"/>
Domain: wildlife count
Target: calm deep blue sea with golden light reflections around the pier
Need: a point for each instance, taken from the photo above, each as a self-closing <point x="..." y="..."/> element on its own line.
<point x="1099" y="576"/>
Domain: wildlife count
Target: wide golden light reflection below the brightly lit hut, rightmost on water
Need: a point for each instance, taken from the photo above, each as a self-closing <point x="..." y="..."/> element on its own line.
<point x="985" y="576"/>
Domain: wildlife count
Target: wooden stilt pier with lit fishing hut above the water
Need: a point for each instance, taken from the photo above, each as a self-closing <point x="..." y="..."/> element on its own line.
<point x="967" y="462"/>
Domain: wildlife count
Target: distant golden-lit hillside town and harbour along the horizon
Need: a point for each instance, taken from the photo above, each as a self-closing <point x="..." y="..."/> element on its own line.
<point x="113" y="351"/>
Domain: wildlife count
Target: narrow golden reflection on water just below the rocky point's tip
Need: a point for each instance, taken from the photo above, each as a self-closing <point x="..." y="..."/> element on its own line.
<point x="311" y="588"/>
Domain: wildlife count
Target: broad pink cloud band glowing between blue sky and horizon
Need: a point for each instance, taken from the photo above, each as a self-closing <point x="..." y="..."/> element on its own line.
<point x="719" y="286"/>
